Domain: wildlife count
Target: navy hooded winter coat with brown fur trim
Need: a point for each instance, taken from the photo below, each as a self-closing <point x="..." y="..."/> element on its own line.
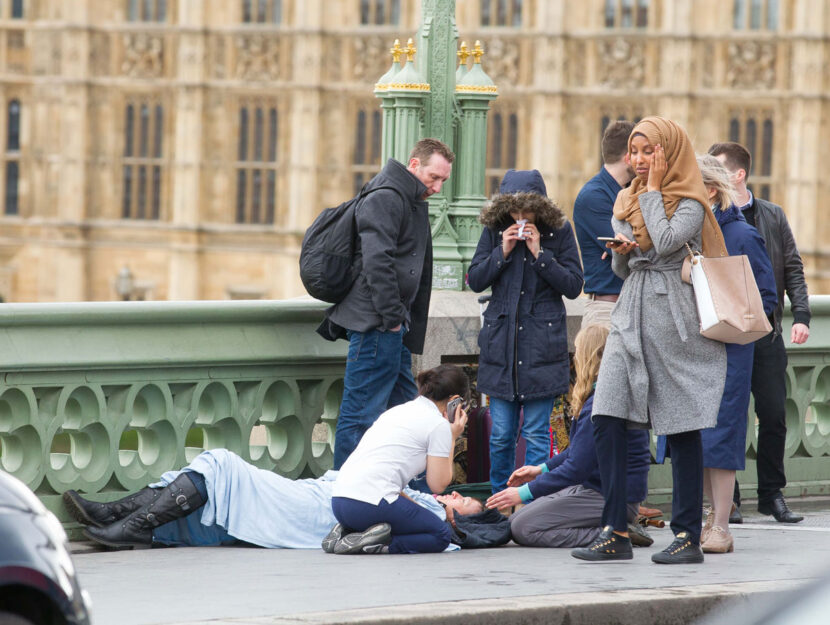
<point x="523" y="340"/>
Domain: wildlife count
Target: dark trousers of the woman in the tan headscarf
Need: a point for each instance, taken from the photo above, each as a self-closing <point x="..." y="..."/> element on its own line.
<point x="687" y="475"/>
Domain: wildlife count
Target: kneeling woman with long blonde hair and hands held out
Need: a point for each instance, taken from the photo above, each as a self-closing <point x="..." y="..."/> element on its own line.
<point x="564" y="495"/>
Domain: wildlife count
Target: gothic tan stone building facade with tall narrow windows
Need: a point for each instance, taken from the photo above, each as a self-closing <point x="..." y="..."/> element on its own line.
<point x="193" y="141"/>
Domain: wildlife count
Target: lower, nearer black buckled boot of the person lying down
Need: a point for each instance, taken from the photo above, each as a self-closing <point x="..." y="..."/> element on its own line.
<point x="177" y="499"/>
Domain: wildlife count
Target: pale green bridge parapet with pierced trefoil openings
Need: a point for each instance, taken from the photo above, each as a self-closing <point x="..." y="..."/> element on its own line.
<point x="105" y="397"/>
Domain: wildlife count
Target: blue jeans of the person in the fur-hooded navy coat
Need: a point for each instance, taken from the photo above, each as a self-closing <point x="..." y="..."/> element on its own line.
<point x="535" y="430"/>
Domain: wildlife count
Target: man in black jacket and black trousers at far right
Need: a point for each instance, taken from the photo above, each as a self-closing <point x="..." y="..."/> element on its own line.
<point x="770" y="362"/>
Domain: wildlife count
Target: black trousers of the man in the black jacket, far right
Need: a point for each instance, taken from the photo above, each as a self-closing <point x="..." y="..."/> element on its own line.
<point x="769" y="390"/>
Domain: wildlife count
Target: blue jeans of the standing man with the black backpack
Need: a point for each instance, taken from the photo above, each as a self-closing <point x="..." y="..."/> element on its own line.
<point x="378" y="377"/>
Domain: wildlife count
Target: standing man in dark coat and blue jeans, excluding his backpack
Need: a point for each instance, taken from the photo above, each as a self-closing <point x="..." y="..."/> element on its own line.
<point x="384" y="315"/>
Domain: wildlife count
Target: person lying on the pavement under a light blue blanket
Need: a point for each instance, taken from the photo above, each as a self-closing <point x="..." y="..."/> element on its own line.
<point x="226" y="500"/>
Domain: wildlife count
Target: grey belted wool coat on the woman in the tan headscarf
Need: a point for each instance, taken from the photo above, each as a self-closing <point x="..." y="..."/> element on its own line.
<point x="657" y="368"/>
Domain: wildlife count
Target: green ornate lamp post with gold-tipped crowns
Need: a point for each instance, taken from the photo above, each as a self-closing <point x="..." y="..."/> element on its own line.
<point x="429" y="97"/>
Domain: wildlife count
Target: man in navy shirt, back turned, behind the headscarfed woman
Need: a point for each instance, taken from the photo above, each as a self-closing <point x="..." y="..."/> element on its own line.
<point x="592" y="221"/>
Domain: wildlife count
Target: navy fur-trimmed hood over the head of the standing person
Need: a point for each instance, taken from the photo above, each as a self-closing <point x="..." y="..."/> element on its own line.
<point x="523" y="190"/>
